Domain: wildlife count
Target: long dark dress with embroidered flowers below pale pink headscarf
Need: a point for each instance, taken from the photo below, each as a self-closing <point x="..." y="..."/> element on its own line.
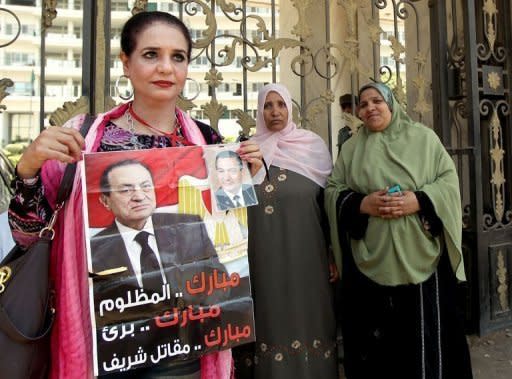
<point x="295" y="326"/>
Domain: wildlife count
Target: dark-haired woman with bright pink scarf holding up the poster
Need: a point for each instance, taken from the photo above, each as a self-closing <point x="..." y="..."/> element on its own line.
<point x="156" y="49"/>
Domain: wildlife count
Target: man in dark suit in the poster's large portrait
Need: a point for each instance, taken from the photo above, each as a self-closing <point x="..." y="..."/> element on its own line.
<point x="169" y="239"/>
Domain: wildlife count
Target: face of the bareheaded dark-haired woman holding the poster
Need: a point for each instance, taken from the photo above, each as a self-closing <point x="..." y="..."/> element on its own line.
<point x="158" y="66"/>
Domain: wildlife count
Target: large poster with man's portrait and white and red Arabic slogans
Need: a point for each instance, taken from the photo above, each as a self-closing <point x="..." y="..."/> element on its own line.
<point x="169" y="276"/>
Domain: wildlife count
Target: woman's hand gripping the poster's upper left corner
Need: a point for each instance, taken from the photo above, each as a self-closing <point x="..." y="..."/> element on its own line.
<point x="56" y="142"/>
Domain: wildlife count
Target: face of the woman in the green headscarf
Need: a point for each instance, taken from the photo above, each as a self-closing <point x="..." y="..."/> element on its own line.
<point x="374" y="111"/>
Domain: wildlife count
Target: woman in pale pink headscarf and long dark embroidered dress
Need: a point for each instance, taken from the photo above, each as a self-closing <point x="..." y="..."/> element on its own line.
<point x="290" y="273"/>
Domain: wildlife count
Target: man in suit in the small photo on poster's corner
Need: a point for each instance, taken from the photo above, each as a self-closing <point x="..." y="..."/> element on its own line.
<point x="232" y="192"/>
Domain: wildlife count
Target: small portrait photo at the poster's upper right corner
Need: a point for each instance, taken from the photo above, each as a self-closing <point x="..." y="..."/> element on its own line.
<point x="230" y="179"/>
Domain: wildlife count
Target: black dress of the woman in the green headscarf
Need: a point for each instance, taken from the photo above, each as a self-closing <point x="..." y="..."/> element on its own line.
<point x="410" y="331"/>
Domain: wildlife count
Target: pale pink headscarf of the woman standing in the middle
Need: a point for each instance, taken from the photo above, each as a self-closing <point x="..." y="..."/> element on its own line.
<point x="298" y="150"/>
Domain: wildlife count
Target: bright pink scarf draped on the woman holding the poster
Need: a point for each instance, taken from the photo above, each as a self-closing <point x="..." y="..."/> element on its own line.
<point x="71" y="341"/>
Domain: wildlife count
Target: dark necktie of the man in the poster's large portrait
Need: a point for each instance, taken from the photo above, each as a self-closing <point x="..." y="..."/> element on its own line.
<point x="149" y="267"/>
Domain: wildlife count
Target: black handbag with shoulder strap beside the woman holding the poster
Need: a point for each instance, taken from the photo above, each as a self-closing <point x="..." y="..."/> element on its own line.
<point x="26" y="297"/>
